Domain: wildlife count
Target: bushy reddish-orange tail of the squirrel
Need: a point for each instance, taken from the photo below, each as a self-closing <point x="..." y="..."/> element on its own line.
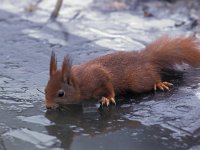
<point x="166" y="52"/>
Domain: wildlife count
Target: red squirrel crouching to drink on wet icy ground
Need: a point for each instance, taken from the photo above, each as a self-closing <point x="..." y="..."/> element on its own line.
<point x="106" y="76"/>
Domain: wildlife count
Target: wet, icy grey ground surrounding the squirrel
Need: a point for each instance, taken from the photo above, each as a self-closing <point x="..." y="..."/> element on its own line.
<point x="87" y="29"/>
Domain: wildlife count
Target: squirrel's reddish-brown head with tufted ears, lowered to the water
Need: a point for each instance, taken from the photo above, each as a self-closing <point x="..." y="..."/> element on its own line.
<point x="62" y="87"/>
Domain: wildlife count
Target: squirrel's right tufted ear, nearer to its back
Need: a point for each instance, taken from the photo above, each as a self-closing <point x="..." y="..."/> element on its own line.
<point x="66" y="69"/>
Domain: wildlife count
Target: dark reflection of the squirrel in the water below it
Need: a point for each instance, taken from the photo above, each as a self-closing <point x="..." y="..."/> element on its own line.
<point x="69" y="124"/>
